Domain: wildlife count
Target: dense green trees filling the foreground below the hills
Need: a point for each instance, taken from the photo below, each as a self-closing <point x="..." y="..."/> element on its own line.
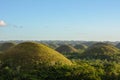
<point x="81" y="70"/>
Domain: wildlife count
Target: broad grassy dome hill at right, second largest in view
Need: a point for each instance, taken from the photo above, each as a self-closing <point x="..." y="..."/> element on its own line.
<point x="100" y="51"/>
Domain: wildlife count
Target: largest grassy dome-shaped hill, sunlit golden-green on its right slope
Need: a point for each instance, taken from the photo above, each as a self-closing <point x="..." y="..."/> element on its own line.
<point x="30" y="54"/>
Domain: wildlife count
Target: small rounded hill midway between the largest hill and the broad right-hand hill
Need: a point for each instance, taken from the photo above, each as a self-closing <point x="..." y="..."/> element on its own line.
<point x="66" y="49"/>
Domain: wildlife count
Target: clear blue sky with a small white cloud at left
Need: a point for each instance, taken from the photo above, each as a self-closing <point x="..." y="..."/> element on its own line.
<point x="89" y="20"/>
